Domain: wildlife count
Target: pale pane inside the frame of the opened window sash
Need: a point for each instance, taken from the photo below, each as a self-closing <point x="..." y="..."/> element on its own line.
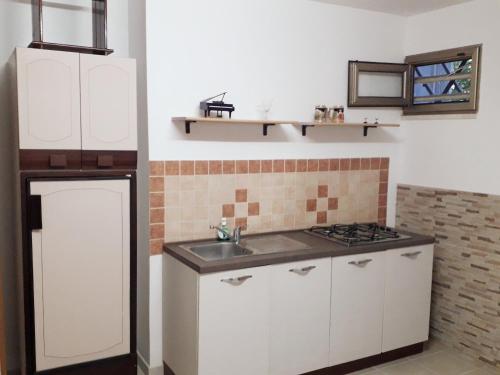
<point x="379" y="84"/>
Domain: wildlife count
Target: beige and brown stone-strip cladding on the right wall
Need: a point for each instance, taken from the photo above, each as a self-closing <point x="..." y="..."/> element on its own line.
<point x="466" y="284"/>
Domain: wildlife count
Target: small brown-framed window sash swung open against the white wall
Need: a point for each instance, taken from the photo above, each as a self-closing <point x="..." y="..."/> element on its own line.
<point x="374" y="84"/>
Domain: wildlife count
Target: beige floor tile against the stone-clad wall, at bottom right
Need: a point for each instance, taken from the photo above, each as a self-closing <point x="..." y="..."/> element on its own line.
<point x="447" y="362"/>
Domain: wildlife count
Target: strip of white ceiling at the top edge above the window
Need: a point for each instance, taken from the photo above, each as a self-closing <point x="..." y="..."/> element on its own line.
<point x="400" y="7"/>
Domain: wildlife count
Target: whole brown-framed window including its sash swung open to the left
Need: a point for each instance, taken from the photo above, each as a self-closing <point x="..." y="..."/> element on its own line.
<point x="441" y="82"/>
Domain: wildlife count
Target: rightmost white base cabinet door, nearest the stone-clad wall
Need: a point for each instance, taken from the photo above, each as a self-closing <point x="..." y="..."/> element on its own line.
<point x="407" y="296"/>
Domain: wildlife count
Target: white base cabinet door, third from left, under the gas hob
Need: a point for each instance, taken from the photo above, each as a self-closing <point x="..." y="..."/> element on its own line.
<point x="357" y="307"/>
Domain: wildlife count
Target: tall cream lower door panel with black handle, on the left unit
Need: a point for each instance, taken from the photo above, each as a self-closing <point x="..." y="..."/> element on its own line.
<point x="81" y="271"/>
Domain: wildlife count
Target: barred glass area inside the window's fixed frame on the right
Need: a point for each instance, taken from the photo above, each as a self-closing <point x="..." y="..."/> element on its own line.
<point x="446" y="82"/>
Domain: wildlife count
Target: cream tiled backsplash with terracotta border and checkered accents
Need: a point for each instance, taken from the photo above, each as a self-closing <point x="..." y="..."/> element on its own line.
<point x="186" y="197"/>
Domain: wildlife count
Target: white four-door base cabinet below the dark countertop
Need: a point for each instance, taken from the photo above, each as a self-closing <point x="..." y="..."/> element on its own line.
<point x="293" y="318"/>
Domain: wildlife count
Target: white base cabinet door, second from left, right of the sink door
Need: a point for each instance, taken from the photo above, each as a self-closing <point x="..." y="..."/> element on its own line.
<point x="300" y="317"/>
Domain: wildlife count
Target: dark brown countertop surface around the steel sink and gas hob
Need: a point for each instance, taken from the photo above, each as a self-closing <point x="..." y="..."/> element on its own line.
<point x="319" y="248"/>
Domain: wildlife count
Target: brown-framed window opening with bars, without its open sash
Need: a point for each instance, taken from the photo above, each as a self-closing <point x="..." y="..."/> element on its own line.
<point x="444" y="82"/>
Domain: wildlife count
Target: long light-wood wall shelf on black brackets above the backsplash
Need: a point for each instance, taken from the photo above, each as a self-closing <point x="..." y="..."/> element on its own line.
<point x="267" y="123"/>
